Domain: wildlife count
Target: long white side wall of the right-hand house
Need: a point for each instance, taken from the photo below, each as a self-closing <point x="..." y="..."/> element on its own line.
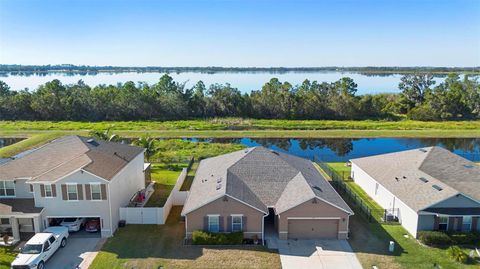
<point x="407" y="217"/>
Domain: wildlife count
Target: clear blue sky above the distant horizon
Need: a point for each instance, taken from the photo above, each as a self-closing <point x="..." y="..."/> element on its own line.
<point x="241" y="33"/>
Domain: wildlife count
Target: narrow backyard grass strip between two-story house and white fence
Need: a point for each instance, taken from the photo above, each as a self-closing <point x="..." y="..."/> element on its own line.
<point x="165" y="177"/>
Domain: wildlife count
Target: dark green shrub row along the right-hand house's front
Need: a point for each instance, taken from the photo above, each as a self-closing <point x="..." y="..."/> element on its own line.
<point x="433" y="238"/>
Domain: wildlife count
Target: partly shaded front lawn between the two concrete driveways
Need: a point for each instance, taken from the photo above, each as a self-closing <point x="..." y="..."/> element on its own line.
<point x="151" y="246"/>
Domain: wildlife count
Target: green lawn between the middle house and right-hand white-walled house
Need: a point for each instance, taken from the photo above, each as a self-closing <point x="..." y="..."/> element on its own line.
<point x="370" y="241"/>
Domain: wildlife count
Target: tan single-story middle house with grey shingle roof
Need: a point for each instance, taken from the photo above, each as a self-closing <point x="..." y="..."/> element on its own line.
<point x="256" y="189"/>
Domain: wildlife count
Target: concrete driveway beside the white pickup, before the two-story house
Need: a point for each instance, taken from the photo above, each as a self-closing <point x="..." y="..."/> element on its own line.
<point x="78" y="252"/>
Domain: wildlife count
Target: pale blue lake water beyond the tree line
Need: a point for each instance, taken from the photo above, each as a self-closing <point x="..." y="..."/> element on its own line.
<point x="244" y="81"/>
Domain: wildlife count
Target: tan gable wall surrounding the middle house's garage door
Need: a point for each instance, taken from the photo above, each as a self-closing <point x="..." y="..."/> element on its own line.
<point x="319" y="209"/>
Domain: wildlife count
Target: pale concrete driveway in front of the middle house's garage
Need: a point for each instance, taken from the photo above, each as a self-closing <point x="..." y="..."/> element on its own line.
<point x="319" y="254"/>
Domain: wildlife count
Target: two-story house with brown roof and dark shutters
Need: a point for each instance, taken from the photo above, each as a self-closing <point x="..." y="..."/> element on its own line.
<point x="69" y="177"/>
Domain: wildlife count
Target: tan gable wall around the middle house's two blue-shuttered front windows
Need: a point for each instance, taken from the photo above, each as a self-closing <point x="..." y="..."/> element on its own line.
<point x="225" y="208"/>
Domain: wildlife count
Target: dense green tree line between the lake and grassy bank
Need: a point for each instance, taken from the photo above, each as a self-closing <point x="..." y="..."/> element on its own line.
<point x="419" y="99"/>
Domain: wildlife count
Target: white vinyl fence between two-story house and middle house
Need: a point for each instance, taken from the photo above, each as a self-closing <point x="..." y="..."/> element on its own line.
<point x="156" y="215"/>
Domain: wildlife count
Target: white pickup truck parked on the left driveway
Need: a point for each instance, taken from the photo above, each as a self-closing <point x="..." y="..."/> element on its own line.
<point x="40" y="248"/>
